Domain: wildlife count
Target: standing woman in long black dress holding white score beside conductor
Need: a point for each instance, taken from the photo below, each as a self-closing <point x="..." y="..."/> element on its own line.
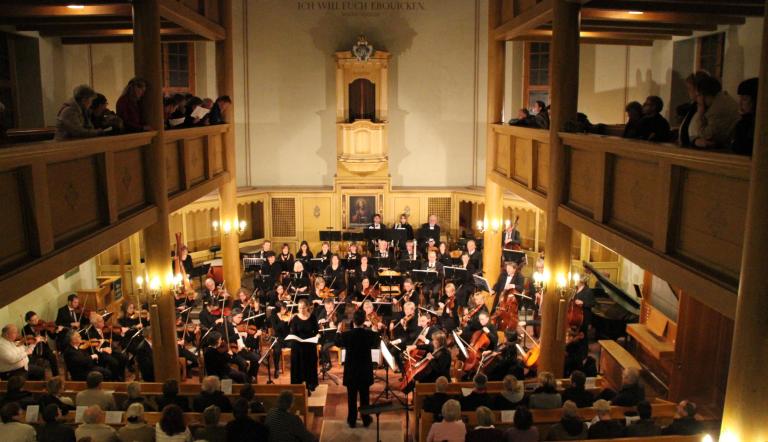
<point x="304" y="355"/>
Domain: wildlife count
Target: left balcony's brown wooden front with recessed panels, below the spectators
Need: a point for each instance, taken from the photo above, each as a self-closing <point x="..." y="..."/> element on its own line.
<point x="82" y="196"/>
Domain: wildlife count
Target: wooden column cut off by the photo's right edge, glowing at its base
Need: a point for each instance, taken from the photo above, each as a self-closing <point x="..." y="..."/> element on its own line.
<point x="745" y="417"/>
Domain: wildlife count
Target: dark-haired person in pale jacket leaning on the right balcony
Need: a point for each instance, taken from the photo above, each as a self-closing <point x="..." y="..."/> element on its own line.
<point x="716" y="116"/>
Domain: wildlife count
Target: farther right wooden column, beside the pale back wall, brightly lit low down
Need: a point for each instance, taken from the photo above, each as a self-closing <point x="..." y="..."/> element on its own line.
<point x="494" y="209"/>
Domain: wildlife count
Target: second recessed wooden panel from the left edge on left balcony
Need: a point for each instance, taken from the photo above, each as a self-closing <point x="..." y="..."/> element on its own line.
<point x="76" y="208"/>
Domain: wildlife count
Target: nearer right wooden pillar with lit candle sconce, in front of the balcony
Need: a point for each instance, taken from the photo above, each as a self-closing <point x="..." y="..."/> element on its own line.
<point x="564" y="75"/>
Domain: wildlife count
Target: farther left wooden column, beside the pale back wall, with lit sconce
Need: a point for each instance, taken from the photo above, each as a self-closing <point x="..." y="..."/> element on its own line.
<point x="230" y="244"/>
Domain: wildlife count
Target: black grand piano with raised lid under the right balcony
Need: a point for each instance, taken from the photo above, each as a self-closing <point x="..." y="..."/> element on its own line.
<point x="615" y="308"/>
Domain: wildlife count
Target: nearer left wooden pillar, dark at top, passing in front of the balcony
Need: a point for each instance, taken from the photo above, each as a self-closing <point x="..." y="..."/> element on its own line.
<point x="147" y="63"/>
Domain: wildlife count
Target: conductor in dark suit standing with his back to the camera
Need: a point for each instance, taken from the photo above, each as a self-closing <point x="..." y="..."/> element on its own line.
<point x="358" y="367"/>
